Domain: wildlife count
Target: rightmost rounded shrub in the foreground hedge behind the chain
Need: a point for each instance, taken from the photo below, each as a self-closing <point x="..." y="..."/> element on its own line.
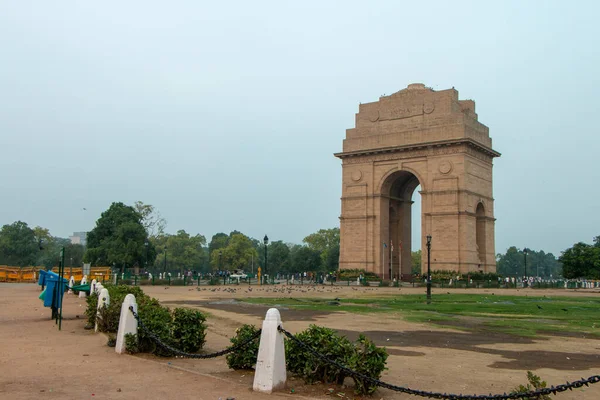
<point x="369" y="360"/>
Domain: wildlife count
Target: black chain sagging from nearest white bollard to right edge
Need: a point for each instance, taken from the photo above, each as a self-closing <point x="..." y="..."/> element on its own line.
<point x="534" y="394"/>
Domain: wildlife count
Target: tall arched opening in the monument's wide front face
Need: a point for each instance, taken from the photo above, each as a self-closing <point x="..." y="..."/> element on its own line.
<point x="397" y="199"/>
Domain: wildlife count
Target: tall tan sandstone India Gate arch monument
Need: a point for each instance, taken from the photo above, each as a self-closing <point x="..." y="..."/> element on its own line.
<point x="414" y="137"/>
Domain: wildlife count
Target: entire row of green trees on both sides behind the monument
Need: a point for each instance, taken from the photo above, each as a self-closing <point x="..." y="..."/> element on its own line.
<point x="134" y="236"/>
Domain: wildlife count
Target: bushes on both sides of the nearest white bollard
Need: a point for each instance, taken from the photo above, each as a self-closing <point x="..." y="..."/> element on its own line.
<point x="362" y="356"/>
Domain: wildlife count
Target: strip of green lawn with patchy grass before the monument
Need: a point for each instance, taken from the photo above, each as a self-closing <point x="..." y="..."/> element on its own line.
<point x="519" y="315"/>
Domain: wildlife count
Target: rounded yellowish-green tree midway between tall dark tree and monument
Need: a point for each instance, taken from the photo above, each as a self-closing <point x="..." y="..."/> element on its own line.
<point x="237" y="254"/>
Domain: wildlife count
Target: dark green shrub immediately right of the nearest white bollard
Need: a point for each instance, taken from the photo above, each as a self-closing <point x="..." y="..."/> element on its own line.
<point x="327" y="342"/>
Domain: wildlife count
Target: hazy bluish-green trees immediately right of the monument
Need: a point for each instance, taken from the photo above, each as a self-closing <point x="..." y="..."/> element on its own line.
<point x="539" y="263"/>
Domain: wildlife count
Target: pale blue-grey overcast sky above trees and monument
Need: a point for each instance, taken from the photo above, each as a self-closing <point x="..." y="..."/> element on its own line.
<point x="226" y="115"/>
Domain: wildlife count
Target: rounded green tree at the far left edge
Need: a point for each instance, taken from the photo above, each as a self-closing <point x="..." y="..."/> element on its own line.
<point x="18" y="245"/>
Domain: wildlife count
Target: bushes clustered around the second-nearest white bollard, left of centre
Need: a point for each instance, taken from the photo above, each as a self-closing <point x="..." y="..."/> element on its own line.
<point x="182" y="328"/>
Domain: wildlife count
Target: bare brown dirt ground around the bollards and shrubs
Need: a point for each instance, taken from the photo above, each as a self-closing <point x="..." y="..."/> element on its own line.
<point x="38" y="361"/>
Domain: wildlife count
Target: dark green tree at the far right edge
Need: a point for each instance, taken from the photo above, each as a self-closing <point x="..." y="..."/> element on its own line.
<point x="582" y="260"/>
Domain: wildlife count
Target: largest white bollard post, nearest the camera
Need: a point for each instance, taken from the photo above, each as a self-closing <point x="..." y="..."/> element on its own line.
<point x="270" y="364"/>
